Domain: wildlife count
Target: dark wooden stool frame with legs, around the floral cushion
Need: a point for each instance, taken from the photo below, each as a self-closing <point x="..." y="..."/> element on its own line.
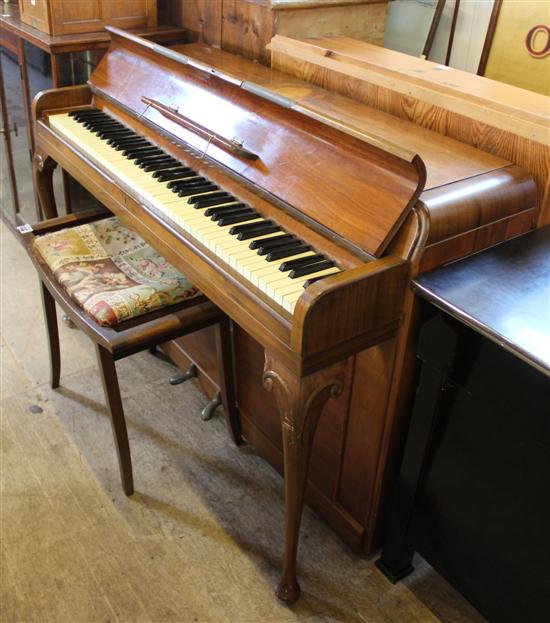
<point x="142" y="332"/>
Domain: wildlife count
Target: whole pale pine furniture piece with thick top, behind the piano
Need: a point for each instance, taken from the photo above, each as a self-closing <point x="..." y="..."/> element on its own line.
<point x="501" y="119"/>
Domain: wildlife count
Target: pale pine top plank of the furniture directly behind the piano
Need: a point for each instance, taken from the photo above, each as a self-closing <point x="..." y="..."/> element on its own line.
<point x="499" y="105"/>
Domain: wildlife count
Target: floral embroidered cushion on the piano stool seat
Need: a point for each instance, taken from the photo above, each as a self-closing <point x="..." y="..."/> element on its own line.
<point x="111" y="272"/>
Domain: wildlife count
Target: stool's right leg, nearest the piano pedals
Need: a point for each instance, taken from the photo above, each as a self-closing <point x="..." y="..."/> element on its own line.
<point x="224" y="353"/>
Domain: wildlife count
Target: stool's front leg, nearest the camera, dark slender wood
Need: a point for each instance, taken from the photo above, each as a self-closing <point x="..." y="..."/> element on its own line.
<point x="114" y="404"/>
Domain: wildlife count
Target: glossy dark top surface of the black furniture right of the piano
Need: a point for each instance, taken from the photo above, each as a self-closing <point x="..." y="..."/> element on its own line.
<point x="503" y="293"/>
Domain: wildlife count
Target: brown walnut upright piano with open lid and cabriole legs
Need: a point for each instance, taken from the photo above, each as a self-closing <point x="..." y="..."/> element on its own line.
<point x="354" y="196"/>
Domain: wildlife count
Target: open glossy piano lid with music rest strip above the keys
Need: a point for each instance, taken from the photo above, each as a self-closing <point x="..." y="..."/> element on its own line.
<point x="360" y="191"/>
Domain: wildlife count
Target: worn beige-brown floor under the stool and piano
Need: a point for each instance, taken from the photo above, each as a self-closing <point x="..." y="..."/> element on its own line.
<point x="200" y="540"/>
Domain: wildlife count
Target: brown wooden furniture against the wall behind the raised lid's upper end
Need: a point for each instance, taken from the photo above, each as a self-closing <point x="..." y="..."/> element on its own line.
<point x="247" y="26"/>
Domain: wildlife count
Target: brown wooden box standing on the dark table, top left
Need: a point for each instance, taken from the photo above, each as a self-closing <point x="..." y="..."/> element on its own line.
<point x="64" y="17"/>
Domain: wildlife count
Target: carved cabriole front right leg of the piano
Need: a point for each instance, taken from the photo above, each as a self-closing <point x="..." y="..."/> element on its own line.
<point x="300" y="402"/>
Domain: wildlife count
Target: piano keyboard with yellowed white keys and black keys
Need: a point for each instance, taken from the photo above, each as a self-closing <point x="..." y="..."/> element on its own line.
<point x="275" y="261"/>
